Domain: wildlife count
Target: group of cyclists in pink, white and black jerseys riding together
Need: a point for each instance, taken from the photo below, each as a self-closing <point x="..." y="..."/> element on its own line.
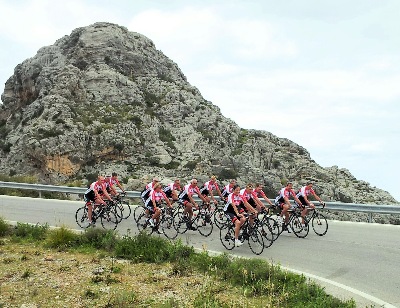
<point x="240" y="204"/>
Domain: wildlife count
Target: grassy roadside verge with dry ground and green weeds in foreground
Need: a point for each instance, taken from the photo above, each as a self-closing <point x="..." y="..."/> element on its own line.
<point x="45" y="267"/>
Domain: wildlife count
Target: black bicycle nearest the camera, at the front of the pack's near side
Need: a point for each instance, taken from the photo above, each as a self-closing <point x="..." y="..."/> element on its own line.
<point x="252" y="234"/>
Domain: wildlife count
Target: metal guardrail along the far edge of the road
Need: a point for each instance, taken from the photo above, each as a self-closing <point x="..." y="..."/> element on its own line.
<point x="332" y="206"/>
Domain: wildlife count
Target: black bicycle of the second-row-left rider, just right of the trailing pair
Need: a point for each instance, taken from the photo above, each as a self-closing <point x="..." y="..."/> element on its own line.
<point x="165" y="221"/>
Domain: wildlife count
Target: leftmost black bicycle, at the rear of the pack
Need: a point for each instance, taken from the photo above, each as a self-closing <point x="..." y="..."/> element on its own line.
<point x="107" y="216"/>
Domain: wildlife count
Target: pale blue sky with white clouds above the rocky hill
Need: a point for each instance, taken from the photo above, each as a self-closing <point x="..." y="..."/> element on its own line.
<point x="324" y="74"/>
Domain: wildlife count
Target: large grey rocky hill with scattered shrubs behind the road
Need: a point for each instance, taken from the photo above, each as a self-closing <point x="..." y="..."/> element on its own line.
<point x="105" y="99"/>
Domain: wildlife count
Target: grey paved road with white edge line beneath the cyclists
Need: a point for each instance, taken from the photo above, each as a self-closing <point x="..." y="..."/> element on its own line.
<point x="356" y="260"/>
